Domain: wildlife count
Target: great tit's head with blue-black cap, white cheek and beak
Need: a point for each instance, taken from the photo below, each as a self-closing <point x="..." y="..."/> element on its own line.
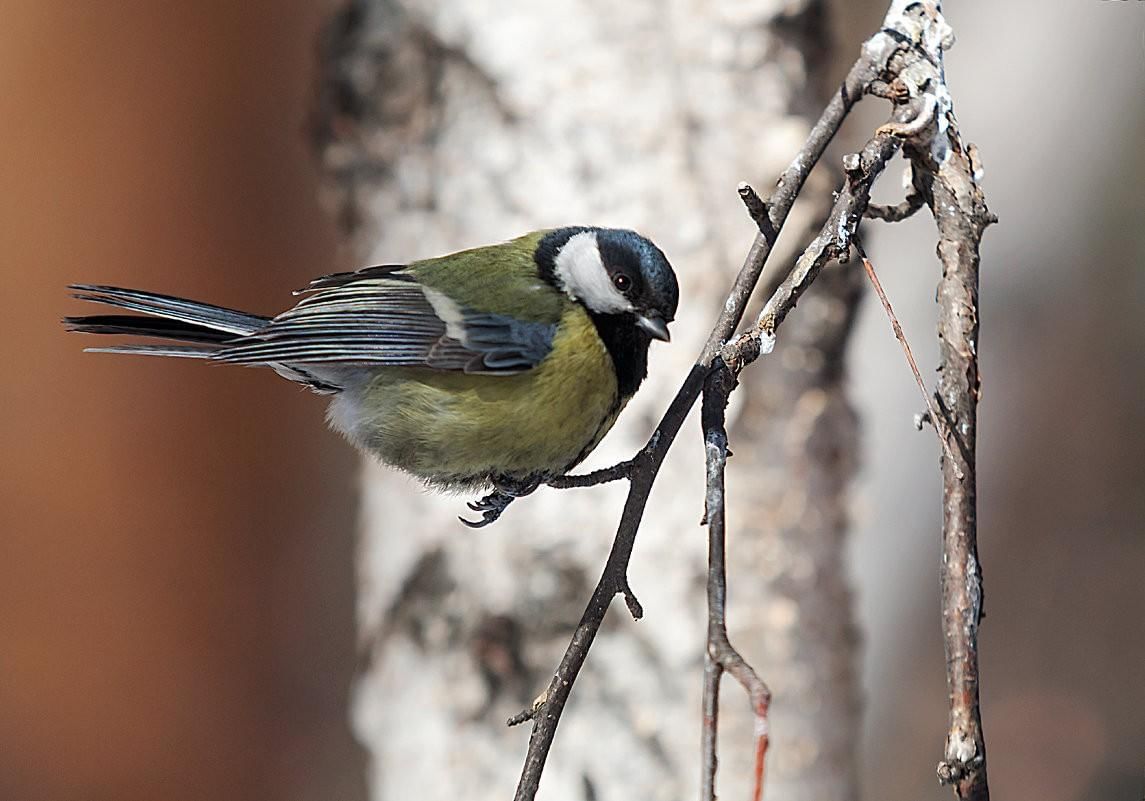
<point x="613" y="272"/>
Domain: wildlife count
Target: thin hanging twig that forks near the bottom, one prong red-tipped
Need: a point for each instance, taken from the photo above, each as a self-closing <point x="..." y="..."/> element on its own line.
<point x="721" y="655"/>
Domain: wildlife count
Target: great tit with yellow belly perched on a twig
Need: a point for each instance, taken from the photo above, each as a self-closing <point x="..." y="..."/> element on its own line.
<point x="502" y="366"/>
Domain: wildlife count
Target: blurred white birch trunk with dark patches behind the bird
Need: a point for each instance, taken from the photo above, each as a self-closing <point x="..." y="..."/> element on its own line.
<point x="447" y="124"/>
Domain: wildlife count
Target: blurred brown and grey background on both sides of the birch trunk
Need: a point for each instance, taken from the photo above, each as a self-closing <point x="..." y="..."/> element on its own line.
<point x="177" y="542"/>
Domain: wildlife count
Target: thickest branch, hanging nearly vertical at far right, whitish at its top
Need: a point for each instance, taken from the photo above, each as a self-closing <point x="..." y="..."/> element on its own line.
<point x="946" y="173"/>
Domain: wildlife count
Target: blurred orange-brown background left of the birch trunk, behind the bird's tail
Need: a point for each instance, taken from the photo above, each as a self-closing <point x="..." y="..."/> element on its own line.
<point x="176" y="559"/>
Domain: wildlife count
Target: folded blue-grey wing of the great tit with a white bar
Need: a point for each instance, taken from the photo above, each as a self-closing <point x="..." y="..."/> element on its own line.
<point x="392" y="321"/>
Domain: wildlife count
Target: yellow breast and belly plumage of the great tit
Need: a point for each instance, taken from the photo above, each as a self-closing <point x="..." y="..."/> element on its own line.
<point x="451" y="429"/>
